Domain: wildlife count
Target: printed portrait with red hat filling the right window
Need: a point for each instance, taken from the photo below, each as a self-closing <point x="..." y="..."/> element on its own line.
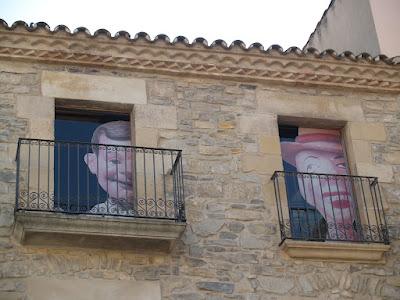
<point x="321" y="206"/>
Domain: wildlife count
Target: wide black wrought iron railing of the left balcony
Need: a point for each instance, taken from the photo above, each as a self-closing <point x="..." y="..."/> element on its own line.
<point x="84" y="178"/>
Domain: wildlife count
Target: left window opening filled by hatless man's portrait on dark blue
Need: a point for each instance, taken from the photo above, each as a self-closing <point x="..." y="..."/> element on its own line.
<point x="90" y="176"/>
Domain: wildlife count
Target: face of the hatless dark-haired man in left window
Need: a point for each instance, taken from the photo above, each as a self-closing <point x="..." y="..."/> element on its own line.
<point x="113" y="168"/>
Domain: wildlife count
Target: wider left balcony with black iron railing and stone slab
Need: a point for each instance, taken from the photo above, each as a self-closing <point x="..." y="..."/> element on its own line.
<point x="95" y="195"/>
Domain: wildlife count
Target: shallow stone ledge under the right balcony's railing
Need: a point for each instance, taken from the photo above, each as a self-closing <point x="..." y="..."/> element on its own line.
<point x="336" y="251"/>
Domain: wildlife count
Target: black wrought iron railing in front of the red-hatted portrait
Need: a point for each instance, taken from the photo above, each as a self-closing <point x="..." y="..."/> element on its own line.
<point x="325" y="207"/>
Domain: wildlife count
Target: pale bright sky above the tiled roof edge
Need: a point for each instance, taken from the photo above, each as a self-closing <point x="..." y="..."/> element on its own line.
<point x="283" y="22"/>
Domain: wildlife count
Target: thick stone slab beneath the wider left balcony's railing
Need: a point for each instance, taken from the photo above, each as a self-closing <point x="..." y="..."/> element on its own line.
<point x="38" y="228"/>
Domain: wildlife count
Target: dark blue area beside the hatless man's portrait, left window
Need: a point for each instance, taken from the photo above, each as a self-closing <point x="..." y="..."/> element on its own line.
<point x="74" y="185"/>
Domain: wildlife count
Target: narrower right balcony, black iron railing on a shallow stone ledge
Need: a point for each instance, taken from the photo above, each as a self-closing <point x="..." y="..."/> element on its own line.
<point x="331" y="217"/>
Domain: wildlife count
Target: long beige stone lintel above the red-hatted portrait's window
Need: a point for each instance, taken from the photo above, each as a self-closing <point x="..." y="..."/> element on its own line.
<point x="310" y="106"/>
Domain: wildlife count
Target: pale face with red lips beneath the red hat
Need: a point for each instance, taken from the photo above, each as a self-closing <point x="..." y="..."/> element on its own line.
<point x="330" y="195"/>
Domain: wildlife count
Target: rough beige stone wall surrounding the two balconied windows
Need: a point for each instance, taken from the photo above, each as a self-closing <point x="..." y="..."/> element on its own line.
<point x="228" y="133"/>
